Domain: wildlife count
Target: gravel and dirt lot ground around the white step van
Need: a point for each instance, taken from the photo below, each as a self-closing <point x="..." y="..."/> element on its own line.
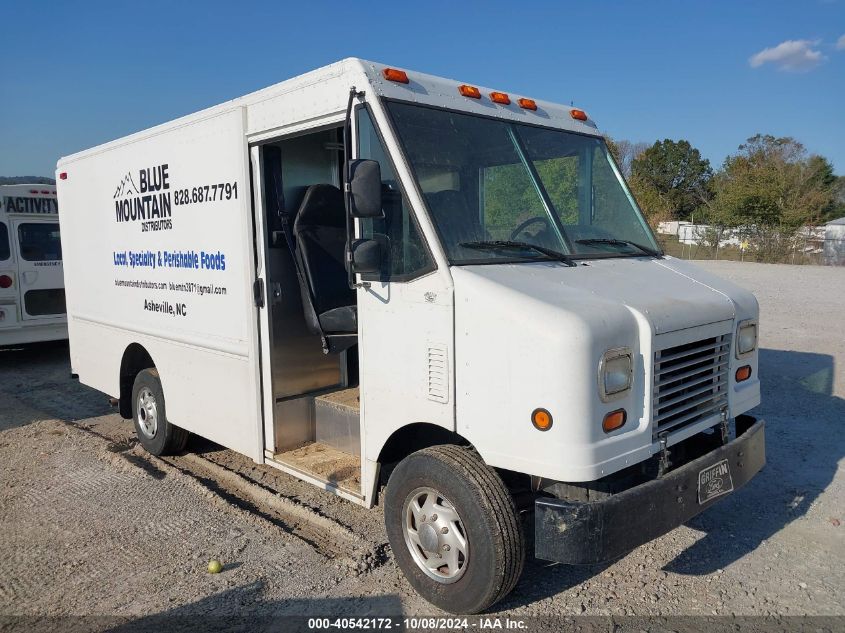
<point x="91" y="525"/>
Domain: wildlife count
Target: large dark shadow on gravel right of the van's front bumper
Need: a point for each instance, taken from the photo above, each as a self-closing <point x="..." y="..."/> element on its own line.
<point x="804" y="444"/>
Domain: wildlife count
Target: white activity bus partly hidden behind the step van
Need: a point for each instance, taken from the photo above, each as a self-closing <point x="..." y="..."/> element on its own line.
<point x="32" y="295"/>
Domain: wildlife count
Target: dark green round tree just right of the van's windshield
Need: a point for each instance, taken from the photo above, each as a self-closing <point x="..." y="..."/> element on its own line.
<point x="673" y="174"/>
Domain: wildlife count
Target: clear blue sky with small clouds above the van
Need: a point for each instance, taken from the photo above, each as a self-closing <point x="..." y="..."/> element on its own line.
<point x="76" y="74"/>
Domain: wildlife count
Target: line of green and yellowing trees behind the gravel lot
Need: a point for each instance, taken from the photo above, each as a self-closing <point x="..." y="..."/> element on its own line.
<point x="769" y="188"/>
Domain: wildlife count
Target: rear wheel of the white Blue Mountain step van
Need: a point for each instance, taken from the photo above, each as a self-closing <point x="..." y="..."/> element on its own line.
<point x="155" y="433"/>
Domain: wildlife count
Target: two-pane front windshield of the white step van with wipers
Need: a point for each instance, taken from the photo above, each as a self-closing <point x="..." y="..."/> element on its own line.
<point x="487" y="182"/>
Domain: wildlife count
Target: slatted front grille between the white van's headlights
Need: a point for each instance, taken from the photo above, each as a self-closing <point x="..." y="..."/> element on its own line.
<point x="690" y="383"/>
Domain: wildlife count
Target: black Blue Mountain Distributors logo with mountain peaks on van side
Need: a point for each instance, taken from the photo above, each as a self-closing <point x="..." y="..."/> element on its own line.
<point x="147" y="202"/>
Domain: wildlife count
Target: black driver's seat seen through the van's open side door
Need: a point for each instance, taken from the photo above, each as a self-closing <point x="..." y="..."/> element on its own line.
<point x="320" y="232"/>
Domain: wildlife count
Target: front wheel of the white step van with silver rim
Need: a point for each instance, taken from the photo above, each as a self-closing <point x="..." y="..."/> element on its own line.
<point x="473" y="503"/>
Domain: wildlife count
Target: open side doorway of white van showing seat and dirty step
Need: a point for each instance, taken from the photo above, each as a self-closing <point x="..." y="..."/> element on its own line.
<point x="312" y="309"/>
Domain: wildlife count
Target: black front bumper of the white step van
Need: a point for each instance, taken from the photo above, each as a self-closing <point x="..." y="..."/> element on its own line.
<point x="584" y="533"/>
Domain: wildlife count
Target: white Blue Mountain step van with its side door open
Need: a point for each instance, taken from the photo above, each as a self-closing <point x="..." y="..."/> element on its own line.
<point x="366" y="276"/>
